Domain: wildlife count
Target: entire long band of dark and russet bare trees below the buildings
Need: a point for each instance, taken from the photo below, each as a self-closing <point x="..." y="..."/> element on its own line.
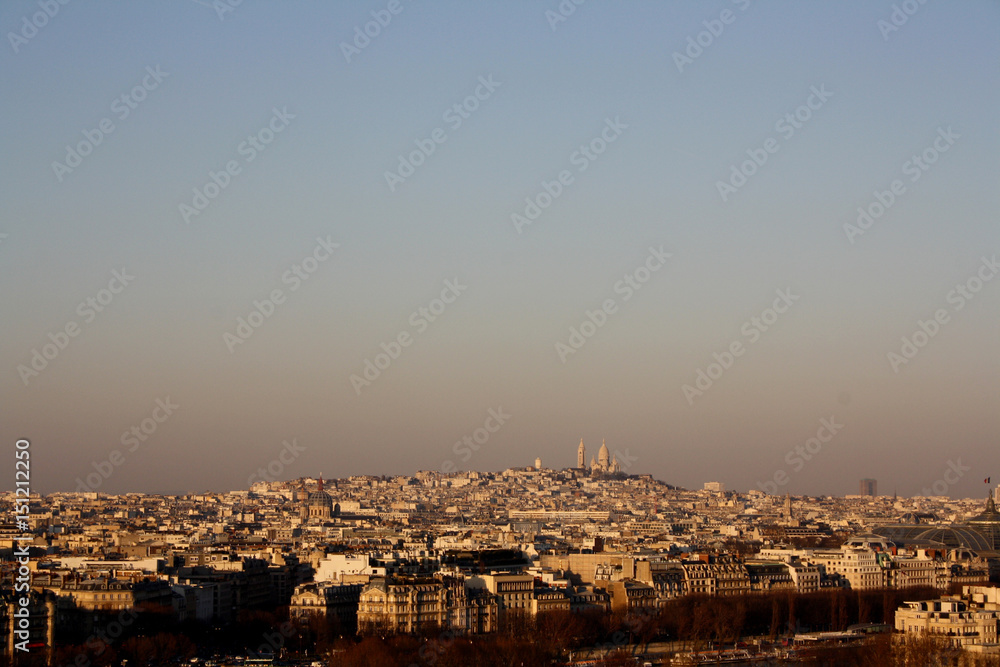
<point x="157" y="638"/>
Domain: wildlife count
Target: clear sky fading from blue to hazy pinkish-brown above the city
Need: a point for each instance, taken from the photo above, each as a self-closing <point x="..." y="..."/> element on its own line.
<point x="743" y="242"/>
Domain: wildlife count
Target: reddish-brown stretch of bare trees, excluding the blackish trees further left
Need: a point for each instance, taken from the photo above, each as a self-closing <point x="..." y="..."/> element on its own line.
<point x="549" y="638"/>
